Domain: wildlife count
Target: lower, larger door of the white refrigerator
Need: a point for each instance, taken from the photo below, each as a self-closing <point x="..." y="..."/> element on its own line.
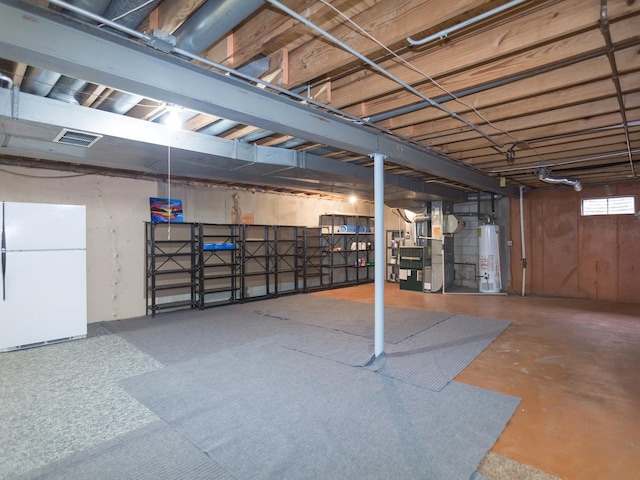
<point x="45" y="298"/>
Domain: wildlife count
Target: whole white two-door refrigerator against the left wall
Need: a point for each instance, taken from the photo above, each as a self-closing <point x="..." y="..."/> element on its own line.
<point x="44" y="276"/>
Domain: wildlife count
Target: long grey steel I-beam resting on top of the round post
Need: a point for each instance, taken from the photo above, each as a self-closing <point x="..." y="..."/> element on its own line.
<point x="48" y="40"/>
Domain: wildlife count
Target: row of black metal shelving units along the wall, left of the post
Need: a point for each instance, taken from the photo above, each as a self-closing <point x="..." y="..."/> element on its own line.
<point x="202" y="265"/>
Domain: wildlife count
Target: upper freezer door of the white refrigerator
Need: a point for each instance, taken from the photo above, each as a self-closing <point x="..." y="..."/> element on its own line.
<point x="41" y="226"/>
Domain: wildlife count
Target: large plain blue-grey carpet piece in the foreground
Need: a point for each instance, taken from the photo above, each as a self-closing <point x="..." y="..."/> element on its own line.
<point x="263" y="411"/>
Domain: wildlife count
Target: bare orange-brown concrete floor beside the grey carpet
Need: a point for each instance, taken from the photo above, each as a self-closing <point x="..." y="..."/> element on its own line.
<point x="574" y="363"/>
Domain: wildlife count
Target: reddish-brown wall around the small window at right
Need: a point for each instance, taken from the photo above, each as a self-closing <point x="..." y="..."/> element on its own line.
<point x="569" y="255"/>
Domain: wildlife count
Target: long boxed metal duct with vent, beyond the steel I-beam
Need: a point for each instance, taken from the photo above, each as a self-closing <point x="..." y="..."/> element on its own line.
<point x="39" y="119"/>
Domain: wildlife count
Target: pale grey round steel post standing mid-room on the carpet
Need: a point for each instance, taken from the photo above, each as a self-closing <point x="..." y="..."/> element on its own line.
<point x="378" y="198"/>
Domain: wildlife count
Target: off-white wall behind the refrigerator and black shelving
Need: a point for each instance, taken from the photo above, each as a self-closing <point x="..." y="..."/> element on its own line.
<point x="118" y="207"/>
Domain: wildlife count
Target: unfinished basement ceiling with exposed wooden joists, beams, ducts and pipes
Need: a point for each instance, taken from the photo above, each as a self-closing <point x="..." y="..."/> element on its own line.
<point x="459" y="97"/>
